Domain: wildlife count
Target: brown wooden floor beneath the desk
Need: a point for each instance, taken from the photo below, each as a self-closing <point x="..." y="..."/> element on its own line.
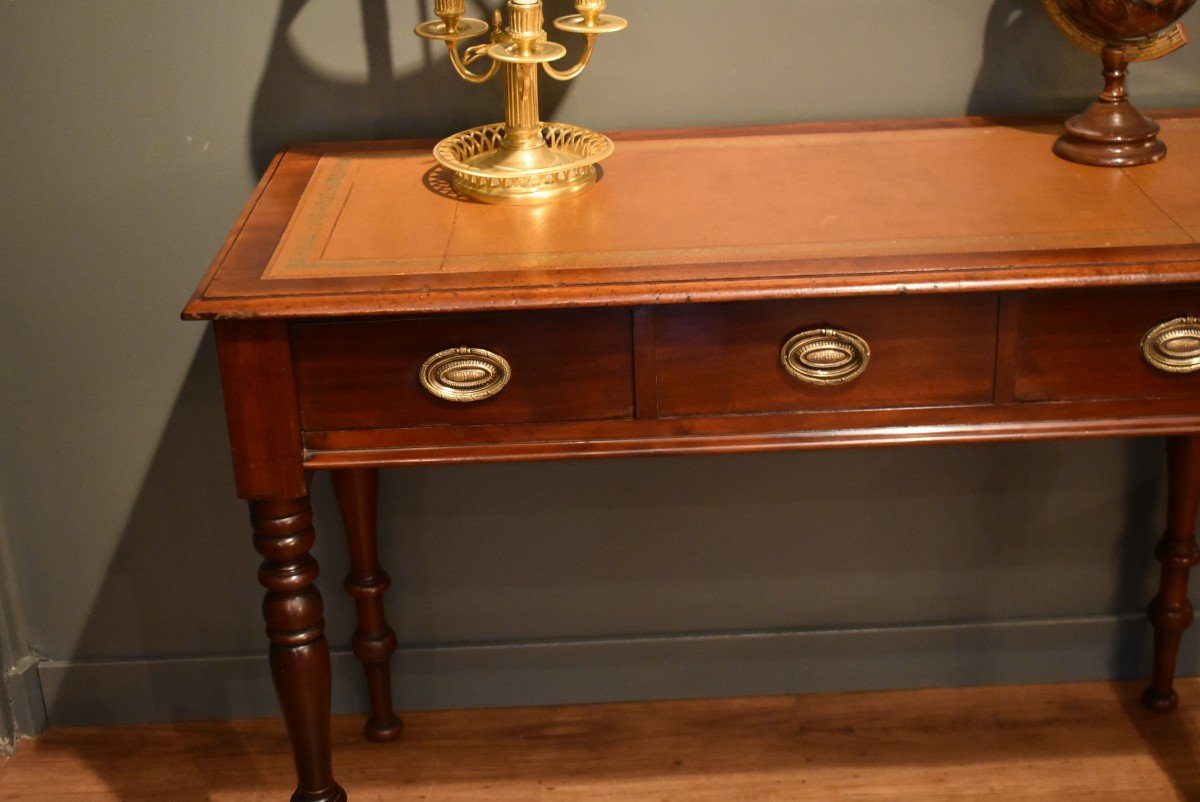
<point x="1043" y="743"/>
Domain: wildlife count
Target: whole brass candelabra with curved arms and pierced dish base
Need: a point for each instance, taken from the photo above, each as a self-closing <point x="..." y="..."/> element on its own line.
<point x="523" y="160"/>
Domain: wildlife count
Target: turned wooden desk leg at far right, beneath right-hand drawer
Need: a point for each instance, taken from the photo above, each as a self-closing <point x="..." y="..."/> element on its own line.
<point x="1171" y="612"/>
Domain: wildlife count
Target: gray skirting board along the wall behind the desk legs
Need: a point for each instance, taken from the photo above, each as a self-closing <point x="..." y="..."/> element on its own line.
<point x="501" y="675"/>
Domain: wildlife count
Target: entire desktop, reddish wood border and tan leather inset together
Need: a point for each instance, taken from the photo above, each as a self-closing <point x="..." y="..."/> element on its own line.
<point x="842" y="220"/>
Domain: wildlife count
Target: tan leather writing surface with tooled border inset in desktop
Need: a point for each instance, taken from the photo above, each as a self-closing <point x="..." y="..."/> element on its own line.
<point x="742" y="199"/>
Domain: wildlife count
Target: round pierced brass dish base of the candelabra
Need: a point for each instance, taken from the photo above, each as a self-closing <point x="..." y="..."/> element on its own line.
<point x="484" y="171"/>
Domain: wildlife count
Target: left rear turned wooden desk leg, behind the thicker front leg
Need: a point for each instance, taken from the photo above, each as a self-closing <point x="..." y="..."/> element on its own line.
<point x="358" y="493"/>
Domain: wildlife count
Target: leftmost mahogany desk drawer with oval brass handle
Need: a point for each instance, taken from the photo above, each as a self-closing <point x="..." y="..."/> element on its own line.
<point x="571" y="366"/>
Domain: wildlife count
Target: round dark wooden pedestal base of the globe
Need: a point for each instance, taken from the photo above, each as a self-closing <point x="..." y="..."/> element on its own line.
<point x="1111" y="135"/>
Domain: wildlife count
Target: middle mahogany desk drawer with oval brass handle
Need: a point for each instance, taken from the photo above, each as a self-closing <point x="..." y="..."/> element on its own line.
<point x="923" y="351"/>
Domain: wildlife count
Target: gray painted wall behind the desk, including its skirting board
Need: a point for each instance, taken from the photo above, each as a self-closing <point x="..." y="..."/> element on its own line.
<point x="135" y="131"/>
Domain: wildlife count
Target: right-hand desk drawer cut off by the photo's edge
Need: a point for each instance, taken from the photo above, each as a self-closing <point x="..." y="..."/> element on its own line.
<point x="1088" y="345"/>
